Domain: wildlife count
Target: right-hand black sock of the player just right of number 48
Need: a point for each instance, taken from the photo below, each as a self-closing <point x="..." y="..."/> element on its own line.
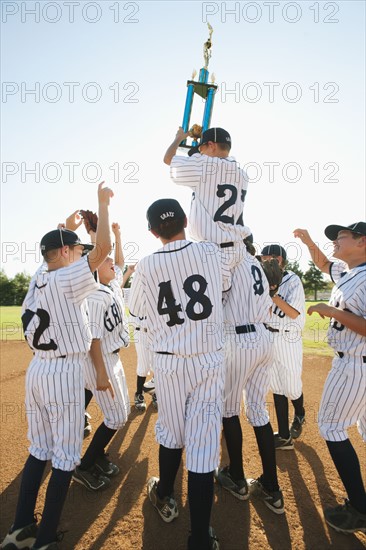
<point x="265" y="441"/>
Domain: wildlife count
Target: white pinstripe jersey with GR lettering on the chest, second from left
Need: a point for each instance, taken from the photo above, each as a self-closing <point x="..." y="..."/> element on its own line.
<point x="107" y="317"/>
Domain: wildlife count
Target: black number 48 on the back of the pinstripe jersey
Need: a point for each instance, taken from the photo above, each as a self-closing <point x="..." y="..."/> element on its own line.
<point x="196" y="297"/>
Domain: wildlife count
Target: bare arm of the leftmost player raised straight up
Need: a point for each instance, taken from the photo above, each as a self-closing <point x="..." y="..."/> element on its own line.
<point x="103" y="243"/>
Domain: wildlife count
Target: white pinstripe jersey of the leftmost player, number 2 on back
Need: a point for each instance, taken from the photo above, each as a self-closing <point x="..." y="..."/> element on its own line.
<point x="54" y="311"/>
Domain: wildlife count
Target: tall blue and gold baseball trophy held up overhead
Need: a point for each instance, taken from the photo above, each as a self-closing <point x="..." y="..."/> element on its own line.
<point x="203" y="89"/>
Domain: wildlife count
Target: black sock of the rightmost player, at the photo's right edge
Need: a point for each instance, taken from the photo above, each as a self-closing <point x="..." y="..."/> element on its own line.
<point x="348" y="466"/>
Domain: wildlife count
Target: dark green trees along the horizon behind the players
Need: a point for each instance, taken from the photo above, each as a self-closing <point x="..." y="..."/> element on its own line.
<point x="13" y="290"/>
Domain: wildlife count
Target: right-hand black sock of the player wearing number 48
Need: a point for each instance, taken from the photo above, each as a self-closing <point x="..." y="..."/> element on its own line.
<point x="200" y="498"/>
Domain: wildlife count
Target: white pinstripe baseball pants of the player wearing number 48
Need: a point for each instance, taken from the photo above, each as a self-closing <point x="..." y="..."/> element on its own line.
<point x="189" y="392"/>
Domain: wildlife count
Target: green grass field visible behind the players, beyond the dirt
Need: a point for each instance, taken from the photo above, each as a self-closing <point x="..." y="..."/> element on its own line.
<point x="314" y="334"/>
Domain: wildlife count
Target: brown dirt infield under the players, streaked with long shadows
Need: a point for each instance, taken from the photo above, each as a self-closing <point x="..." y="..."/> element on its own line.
<point x="122" y="517"/>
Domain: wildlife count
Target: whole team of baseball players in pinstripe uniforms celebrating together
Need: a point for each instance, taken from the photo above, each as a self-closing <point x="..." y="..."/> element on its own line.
<point x="213" y="337"/>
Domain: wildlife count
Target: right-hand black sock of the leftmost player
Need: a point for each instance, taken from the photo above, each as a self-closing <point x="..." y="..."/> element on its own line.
<point x="54" y="502"/>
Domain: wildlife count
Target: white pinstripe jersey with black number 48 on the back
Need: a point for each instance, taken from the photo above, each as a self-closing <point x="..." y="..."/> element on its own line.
<point x="179" y="289"/>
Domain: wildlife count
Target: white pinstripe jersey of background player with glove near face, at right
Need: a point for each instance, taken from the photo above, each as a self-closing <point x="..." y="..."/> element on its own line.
<point x="292" y="291"/>
